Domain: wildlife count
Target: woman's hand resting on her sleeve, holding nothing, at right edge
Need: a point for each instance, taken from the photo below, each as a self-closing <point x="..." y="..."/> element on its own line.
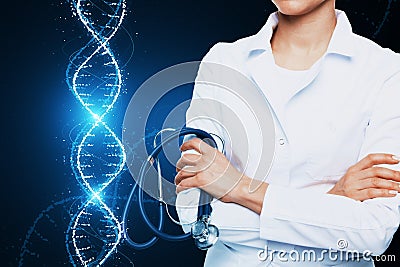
<point x="364" y="180"/>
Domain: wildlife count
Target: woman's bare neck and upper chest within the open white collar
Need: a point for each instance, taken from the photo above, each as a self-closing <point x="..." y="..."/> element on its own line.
<point x="299" y="41"/>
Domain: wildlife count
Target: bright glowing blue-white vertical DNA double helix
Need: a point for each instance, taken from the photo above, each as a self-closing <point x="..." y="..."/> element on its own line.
<point x="97" y="156"/>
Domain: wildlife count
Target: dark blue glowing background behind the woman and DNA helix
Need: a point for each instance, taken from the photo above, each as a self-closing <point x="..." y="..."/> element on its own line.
<point x="39" y="113"/>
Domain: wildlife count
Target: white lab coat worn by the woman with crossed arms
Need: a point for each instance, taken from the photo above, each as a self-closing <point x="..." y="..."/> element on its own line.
<point x="346" y="108"/>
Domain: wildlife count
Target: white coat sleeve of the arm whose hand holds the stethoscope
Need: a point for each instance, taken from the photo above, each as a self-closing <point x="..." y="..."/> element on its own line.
<point x="318" y="219"/>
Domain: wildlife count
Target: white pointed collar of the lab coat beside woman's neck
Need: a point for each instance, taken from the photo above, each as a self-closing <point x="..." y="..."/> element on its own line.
<point x="341" y="41"/>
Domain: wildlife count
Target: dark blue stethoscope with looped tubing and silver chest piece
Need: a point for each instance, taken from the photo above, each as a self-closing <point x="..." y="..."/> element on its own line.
<point x="204" y="233"/>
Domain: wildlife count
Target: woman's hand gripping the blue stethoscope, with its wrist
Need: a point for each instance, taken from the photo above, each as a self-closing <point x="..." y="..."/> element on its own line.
<point x="211" y="171"/>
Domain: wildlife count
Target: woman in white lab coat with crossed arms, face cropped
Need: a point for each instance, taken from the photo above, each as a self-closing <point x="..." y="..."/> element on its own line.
<point x="334" y="99"/>
